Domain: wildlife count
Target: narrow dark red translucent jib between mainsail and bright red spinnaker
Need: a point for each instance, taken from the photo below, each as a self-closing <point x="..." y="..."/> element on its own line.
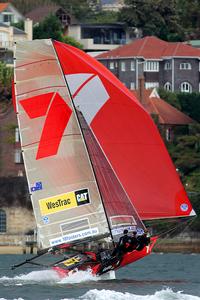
<point x="119" y="208"/>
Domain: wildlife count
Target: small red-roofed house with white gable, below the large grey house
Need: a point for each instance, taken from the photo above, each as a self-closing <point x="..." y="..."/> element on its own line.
<point x="166" y="116"/>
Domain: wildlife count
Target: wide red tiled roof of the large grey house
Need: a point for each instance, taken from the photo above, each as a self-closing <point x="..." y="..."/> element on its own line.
<point x="151" y="47"/>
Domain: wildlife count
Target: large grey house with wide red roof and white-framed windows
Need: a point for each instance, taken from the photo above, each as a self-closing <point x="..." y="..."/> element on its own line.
<point x="172" y="66"/>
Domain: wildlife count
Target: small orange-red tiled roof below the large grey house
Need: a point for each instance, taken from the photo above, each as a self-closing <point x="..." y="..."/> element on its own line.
<point x="167" y="114"/>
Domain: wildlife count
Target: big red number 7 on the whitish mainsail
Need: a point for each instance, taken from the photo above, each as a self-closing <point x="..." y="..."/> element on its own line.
<point x="57" y="113"/>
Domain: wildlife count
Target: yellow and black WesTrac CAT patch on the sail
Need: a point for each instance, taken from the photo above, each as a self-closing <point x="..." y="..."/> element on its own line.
<point x="64" y="201"/>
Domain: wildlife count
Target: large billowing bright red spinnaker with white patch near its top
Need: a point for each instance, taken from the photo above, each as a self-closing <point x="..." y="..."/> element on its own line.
<point x="127" y="135"/>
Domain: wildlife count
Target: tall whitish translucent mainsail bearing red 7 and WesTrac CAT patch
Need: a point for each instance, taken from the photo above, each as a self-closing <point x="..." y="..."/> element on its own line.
<point x="64" y="193"/>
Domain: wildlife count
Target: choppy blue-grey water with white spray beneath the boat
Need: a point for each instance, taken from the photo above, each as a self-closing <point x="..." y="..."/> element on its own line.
<point x="156" y="277"/>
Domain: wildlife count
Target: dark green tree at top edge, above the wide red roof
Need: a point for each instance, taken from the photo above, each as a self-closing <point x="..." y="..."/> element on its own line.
<point x="153" y="17"/>
